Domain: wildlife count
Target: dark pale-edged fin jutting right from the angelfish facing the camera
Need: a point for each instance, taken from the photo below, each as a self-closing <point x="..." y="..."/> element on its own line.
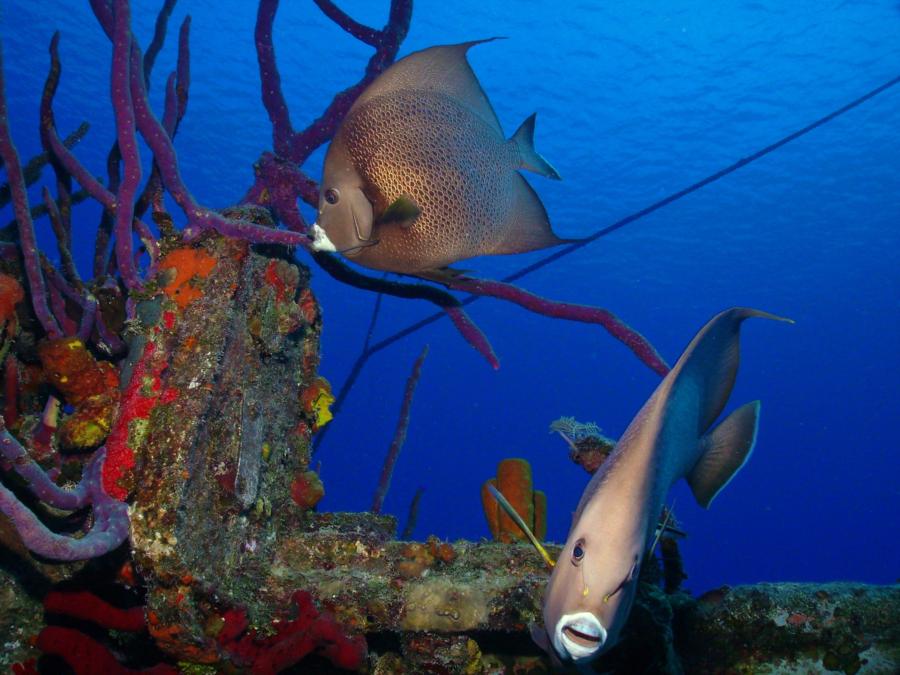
<point x="726" y="448"/>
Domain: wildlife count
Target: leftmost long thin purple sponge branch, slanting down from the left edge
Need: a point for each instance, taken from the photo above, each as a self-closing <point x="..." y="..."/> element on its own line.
<point x="10" y="157"/>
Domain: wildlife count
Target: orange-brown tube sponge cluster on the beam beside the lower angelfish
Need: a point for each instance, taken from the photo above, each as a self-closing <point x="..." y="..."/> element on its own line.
<point x="514" y="482"/>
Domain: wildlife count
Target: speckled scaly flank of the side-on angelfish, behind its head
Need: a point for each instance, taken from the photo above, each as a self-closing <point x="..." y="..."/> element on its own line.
<point x="455" y="165"/>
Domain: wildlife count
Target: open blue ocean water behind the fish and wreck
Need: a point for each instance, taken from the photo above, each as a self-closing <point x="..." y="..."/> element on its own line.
<point x="635" y="101"/>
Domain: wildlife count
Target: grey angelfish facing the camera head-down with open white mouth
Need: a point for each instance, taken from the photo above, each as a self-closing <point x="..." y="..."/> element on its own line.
<point x="592" y="587"/>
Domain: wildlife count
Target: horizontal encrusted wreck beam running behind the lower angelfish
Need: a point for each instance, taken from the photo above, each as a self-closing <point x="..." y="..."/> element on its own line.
<point x="464" y="607"/>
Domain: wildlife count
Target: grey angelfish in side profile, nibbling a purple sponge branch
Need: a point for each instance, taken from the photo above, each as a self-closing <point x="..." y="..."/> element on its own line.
<point x="419" y="174"/>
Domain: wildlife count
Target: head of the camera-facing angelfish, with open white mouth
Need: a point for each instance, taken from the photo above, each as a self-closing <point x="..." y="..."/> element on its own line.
<point x="589" y="595"/>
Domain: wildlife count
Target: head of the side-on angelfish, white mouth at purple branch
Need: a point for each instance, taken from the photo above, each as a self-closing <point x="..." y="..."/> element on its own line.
<point x="345" y="216"/>
